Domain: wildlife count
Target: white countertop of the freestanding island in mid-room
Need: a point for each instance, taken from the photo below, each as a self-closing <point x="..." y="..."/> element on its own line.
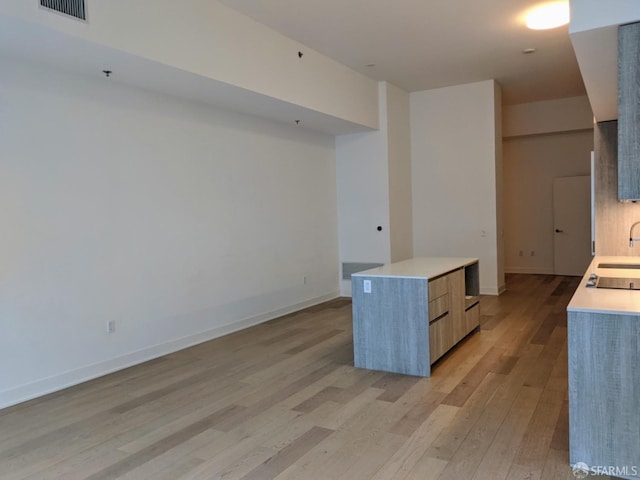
<point x="419" y="267"/>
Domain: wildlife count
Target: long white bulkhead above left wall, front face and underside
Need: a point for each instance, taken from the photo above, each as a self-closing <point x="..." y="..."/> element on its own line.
<point x="203" y="51"/>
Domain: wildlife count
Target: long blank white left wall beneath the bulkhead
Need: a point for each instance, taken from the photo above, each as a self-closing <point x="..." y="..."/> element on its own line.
<point x="179" y="222"/>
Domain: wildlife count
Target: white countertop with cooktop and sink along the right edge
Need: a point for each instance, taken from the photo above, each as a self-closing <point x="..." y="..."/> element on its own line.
<point x="605" y="300"/>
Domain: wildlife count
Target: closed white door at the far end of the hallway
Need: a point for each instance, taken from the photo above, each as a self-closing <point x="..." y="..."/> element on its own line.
<point x="572" y="225"/>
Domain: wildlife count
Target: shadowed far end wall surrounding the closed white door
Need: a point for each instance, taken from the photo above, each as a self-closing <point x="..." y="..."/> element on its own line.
<point x="543" y="140"/>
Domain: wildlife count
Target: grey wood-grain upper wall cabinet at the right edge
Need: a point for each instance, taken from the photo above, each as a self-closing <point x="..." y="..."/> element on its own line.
<point x="629" y="112"/>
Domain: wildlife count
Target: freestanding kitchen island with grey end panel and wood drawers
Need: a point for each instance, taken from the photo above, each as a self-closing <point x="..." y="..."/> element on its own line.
<point x="406" y="315"/>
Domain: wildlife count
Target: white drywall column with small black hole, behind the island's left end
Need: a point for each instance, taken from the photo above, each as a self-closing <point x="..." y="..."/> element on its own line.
<point x="374" y="187"/>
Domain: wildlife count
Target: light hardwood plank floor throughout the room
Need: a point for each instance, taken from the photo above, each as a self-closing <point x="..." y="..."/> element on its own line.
<point x="282" y="400"/>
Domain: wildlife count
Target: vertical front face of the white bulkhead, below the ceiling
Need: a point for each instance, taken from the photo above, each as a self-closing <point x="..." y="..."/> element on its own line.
<point x="214" y="41"/>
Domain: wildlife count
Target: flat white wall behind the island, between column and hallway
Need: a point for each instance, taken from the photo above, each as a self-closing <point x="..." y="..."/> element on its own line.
<point x="453" y="150"/>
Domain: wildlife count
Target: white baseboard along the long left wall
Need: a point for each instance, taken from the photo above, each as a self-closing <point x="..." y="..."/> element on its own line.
<point x="64" y="380"/>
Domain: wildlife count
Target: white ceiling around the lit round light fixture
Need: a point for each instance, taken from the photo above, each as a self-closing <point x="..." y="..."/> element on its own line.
<point x="420" y="44"/>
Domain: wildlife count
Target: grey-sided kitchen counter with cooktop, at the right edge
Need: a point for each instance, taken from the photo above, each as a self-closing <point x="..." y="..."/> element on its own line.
<point x="604" y="369"/>
